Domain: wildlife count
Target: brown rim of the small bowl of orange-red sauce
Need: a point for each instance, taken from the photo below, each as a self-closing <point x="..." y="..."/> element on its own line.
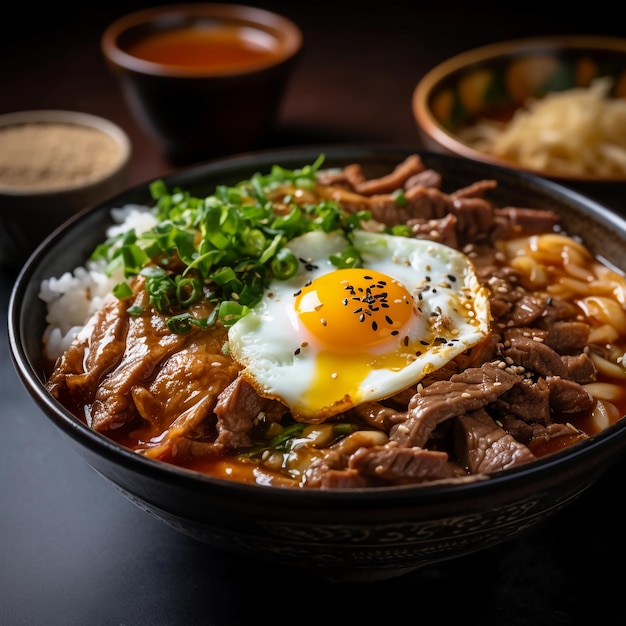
<point x="280" y="27"/>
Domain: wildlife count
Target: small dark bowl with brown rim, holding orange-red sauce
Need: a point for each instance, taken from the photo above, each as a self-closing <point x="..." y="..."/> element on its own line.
<point x="193" y="111"/>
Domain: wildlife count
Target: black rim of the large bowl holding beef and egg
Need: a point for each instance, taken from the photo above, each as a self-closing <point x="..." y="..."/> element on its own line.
<point x="102" y="446"/>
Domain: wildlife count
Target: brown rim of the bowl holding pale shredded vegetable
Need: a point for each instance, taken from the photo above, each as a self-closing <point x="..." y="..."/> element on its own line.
<point x="432" y="128"/>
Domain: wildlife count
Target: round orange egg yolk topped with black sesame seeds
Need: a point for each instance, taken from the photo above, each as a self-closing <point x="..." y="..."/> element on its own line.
<point x="355" y="308"/>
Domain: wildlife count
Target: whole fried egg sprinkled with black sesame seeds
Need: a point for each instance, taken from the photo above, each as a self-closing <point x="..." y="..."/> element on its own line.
<point x="329" y="339"/>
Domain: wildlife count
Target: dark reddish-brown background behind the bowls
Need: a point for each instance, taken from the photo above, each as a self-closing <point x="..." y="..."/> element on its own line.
<point x="354" y="79"/>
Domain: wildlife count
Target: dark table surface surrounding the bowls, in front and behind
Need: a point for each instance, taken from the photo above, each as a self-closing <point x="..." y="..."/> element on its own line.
<point x="74" y="551"/>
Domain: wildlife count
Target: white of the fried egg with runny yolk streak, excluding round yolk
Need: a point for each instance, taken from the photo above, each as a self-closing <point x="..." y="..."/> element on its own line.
<point x="282" y="361"/>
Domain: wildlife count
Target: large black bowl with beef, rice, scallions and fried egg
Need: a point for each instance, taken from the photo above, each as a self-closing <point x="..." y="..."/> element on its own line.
<point x="355" y="360"/>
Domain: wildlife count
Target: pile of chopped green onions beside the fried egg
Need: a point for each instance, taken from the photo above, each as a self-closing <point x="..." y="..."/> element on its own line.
<point x="226" y="247"/>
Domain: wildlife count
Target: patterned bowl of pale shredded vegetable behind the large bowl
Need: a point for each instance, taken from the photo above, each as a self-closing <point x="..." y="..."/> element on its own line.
<point x="553" y="106"/>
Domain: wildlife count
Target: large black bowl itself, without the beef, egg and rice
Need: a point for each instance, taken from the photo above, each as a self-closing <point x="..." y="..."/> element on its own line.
<point x="350" y="535"/>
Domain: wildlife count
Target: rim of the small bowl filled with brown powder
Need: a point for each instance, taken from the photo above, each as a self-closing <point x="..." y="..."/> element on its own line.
<point x="74" y="118"/>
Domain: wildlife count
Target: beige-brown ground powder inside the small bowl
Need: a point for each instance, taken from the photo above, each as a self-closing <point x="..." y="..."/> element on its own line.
<point x="51" y="156"/>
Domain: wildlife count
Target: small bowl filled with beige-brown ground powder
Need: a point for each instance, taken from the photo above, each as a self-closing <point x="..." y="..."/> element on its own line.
<point x="54" y="164"/>
